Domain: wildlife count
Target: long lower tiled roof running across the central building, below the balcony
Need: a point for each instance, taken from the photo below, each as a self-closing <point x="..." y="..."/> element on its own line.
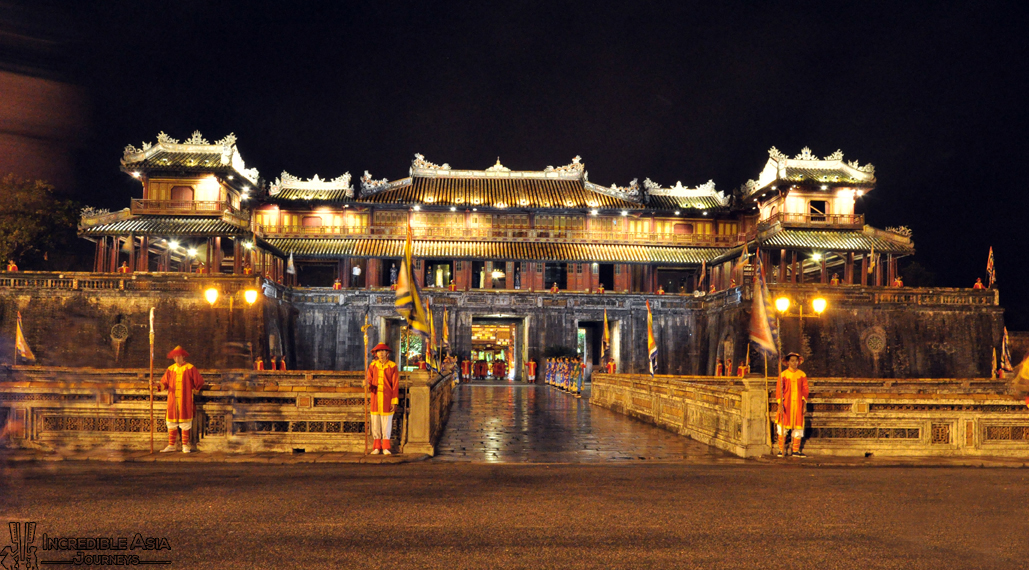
<point x="484" y="251"/>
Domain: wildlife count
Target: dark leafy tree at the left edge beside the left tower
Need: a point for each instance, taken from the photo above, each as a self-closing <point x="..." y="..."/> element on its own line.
<point x="32" y="220"/>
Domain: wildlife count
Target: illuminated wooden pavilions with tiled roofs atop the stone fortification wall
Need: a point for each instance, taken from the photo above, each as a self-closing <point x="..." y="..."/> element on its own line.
<point x="201" y="209"/>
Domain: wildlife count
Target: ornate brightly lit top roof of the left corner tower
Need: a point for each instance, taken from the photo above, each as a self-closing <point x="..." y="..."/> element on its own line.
<point x="224" y="154"/>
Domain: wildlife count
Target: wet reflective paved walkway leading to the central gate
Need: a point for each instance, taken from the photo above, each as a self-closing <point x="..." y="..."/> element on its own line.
<point x="533" y="423"/>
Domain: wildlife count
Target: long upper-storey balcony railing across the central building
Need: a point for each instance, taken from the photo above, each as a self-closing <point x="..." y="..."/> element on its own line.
<point x="504" y="235"/>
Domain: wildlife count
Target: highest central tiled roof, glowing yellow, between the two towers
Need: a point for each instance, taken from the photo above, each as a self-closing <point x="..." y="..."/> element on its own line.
<point x="500" y="193"/>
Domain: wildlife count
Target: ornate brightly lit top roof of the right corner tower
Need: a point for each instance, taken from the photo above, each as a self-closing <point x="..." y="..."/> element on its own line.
<point x="807" y="168"/>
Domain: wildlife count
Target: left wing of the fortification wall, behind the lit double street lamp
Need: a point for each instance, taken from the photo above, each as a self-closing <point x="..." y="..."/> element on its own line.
<point x="102" y="322"/>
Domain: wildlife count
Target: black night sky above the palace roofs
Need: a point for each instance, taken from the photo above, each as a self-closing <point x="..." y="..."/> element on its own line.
<point x="933" y="94"/>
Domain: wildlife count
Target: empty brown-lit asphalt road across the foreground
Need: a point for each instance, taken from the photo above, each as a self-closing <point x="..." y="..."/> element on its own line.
<point x="434" y="515"/>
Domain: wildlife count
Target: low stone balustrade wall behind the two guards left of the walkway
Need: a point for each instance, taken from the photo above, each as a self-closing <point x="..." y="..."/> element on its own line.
<point x="237" y="411"/>
